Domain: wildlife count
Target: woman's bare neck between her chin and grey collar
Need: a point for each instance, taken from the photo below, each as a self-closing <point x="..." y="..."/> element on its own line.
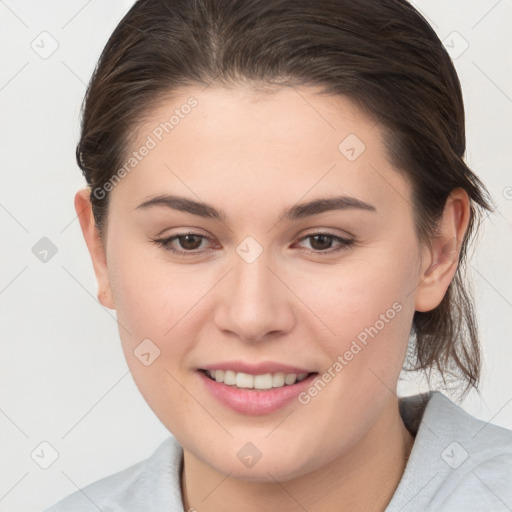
<point x="342" y="485"/>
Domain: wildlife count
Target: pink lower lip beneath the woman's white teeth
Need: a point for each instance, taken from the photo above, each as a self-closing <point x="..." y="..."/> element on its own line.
<point x="255" y="402"/>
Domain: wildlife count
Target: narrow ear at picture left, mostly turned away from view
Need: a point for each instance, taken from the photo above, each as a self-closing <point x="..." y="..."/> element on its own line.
<point x="95" y="245"/>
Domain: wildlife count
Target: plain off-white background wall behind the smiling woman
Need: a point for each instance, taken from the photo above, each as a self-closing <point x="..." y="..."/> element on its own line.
<point x="64" y="380"/>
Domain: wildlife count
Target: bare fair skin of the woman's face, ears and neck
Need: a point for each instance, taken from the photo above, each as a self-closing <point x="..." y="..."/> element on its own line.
<point x="253" y="155"/>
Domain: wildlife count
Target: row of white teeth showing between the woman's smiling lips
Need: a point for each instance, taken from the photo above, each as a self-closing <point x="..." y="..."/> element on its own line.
<point x="260" y="382"/>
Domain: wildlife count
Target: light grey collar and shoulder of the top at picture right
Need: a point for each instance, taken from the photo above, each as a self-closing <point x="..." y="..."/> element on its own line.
<point x="458" y="462"/>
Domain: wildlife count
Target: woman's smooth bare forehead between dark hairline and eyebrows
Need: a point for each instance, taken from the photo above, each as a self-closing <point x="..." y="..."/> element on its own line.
<point x="293" y="142"/>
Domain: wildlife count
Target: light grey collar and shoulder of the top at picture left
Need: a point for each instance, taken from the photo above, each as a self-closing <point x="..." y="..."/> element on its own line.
<point x="152" y="484"/>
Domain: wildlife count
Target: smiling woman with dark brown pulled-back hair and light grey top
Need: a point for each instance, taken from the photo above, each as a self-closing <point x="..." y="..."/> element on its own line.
<point x="277" y="209"/>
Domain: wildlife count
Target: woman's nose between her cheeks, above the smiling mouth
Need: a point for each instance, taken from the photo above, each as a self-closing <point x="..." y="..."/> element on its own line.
<point x="254" y="305"/>
